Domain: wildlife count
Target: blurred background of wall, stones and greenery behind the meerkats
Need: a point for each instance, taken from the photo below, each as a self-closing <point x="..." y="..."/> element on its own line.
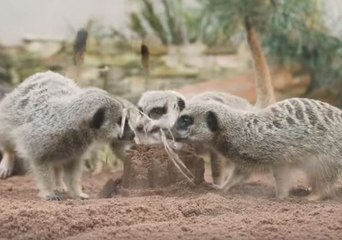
<point x="195" y="45"/>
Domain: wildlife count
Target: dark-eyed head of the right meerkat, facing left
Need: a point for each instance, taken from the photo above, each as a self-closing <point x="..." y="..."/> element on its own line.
<point x="198" y="123"/>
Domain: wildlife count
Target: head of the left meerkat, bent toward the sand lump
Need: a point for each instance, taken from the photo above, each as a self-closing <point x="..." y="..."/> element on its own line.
<point x="104" y="115"/>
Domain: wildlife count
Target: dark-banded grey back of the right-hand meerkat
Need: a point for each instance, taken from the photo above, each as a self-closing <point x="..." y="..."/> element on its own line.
<point x="300" y="123"/>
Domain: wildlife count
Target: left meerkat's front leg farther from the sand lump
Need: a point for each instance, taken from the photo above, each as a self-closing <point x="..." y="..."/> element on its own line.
<point x="45" y="177"/>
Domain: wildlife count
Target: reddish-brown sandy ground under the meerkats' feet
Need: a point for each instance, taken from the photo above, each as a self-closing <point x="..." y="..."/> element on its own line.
<point x="248" y="212"/>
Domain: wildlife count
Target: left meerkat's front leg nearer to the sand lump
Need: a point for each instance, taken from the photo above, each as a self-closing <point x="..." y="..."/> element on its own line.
<point x="73" y="179"/>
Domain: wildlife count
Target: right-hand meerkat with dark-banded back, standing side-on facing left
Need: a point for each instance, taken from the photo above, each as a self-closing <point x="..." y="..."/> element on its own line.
<point x="294" y="133"/>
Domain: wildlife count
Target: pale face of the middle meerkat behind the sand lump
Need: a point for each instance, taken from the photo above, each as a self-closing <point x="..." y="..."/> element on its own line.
<point x="160" y="110"/>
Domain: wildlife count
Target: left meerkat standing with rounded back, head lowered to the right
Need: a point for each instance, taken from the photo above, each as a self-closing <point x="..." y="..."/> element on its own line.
<point x="51" y="122"/>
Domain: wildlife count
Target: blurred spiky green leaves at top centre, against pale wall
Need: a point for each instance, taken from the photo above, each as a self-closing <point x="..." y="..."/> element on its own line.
<point x="172" y="23"/>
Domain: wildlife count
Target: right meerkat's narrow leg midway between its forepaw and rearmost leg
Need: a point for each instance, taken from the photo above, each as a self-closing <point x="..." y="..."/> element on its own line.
<point x="283" y="180"/>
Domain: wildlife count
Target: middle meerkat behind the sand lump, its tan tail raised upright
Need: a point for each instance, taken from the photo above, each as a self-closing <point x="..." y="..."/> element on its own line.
<point x="163" y="107"/>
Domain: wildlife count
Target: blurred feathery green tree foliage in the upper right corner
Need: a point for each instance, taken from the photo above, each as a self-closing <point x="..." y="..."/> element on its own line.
<point x="293" y="32"/>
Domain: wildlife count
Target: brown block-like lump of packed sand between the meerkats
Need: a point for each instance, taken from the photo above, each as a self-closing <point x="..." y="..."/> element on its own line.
<point x="149" y="170"/>
